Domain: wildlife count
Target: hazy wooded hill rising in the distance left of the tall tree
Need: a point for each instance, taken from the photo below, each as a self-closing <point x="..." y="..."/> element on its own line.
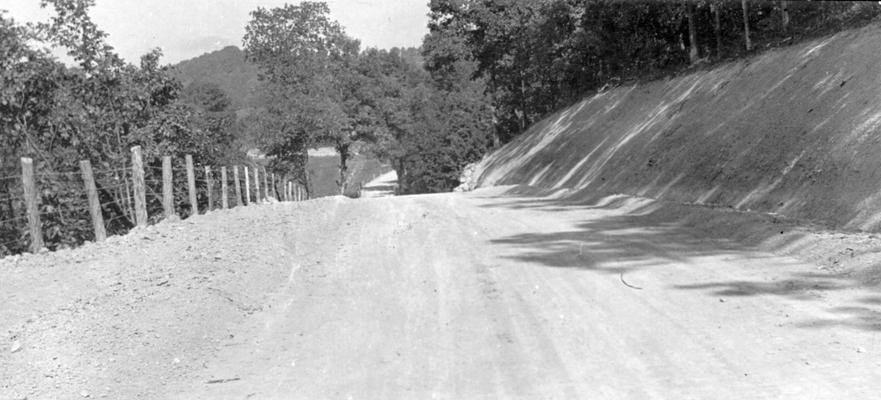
<point x="228" y="69"/>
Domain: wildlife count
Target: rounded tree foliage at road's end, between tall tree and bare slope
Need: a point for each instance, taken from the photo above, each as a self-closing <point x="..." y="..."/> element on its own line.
<point x="428" y="129"/>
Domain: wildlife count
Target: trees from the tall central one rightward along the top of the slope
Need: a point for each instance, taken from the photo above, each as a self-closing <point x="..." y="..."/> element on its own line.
<point x="488" y="69"/>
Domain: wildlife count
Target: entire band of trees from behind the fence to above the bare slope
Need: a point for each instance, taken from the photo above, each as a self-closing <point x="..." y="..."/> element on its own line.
<point x="486" y="71"/>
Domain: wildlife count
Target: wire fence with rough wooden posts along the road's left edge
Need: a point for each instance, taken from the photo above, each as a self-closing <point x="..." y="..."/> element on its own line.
<point x="58" y="212"/>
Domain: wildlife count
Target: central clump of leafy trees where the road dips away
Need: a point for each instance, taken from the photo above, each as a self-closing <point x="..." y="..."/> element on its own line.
<point x="318" y="88"/>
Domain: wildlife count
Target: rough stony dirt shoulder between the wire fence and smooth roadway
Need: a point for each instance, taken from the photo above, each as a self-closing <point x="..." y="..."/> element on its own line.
<point x="126" y="318"/>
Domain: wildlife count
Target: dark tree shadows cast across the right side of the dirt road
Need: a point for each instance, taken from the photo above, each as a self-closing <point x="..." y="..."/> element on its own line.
<point x="646" y="232"/>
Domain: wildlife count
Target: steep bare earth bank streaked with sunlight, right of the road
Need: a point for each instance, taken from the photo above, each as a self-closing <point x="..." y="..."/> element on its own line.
<point x="794" y="131"/>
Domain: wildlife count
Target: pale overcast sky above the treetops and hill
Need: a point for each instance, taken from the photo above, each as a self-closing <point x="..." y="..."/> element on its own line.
<point x="188" y="28"/>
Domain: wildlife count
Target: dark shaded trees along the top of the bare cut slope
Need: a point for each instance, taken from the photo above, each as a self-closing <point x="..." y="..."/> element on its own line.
<point x="538" y="56"/>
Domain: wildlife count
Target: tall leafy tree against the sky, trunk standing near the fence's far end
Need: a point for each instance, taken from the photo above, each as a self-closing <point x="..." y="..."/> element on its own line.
<point x="307" y="64"/>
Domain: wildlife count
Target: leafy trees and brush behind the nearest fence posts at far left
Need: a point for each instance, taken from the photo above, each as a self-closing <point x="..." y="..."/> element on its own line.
<point x="95" y="111"/>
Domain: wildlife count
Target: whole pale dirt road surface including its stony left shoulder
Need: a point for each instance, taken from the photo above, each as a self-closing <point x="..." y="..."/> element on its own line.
<point x="456" y="296"/>
